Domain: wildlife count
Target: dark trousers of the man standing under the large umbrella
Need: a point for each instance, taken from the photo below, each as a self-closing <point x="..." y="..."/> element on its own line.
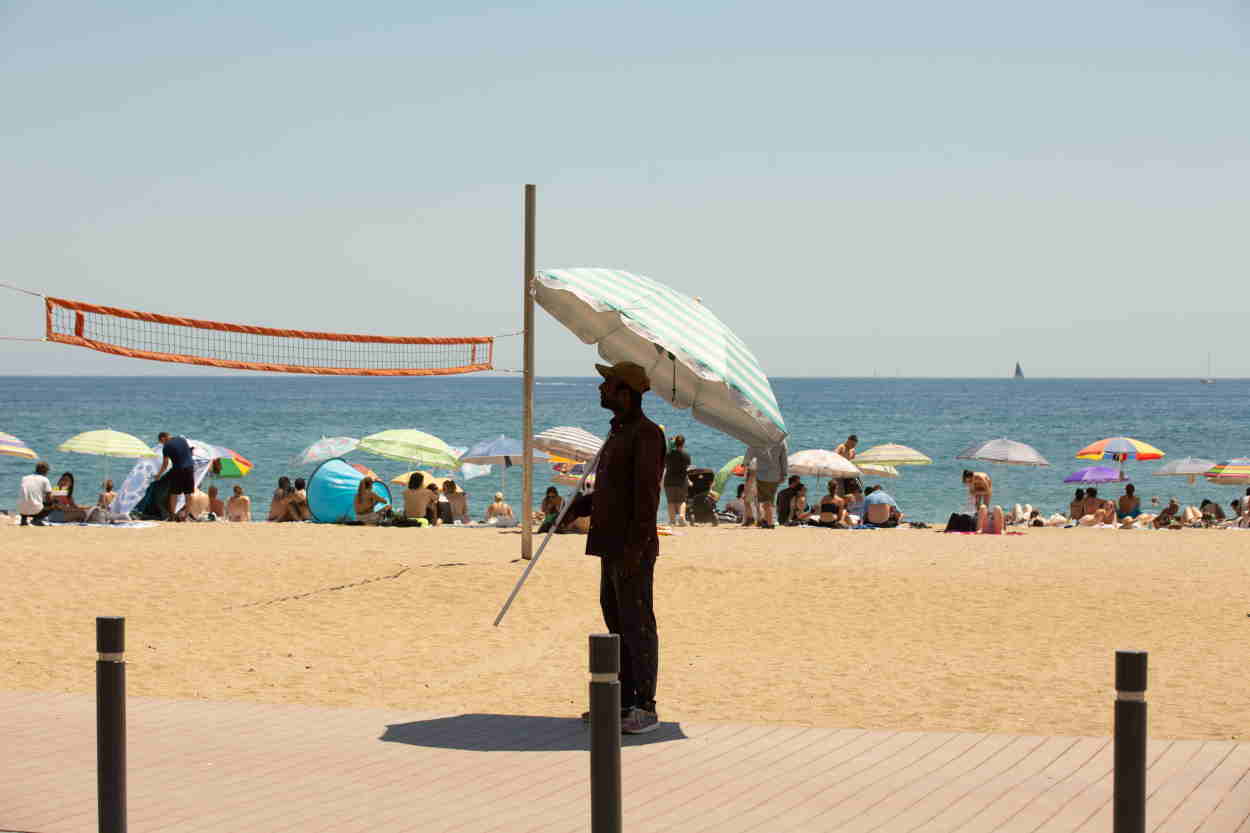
<point x="626" y="597"/>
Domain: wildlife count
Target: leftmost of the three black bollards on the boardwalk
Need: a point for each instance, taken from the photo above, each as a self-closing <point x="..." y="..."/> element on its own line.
<point x="111" y="724"/>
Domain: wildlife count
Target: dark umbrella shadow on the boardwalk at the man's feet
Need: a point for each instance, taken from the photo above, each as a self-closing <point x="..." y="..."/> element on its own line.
<point x="513" y="734"/>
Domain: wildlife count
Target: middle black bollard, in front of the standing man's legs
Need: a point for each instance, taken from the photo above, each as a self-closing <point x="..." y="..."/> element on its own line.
<point x="606" y="734"/>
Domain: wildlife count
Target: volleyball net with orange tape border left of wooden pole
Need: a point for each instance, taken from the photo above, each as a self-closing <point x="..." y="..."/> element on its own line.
<point x="188" y="341"/>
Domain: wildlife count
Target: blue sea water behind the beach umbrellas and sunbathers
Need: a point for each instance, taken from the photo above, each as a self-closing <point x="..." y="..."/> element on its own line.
<point x="271" y="420"/>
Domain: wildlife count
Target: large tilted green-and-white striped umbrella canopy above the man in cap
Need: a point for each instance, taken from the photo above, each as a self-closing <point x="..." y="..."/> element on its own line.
<point x="692" y="358"/>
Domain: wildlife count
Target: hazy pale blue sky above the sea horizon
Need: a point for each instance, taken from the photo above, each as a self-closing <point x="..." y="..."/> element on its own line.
<point x="918" y="188"/>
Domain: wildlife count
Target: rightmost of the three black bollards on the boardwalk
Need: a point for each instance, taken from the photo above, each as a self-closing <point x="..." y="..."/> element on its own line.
<point x="1129" y="799"/>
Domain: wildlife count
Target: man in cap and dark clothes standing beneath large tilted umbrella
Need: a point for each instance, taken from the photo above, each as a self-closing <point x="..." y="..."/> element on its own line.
<point x="623" y="510"/>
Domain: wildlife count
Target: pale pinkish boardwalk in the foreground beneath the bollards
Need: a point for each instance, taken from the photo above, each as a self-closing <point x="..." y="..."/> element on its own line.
<point x="197" y="766"/>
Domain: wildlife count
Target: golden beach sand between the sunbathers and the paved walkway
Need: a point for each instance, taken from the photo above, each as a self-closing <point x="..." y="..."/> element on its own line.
<point x="888" y="630"/>
